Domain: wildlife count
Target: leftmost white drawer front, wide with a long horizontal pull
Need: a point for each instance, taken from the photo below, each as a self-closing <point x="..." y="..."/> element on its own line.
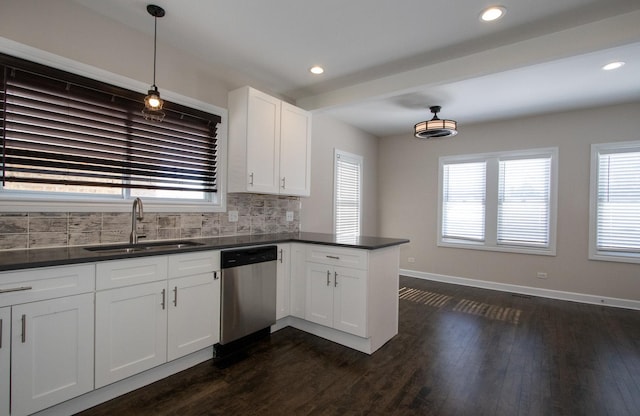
<point x="45" y="283"/>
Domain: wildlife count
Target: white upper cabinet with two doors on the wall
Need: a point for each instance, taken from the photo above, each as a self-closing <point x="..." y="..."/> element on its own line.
<point x="269" y="146"/>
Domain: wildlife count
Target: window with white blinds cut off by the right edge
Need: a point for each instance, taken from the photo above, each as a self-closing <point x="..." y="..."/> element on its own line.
<point x="615" y="202"/>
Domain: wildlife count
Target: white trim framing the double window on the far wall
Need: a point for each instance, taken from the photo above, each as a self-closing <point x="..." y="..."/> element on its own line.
<point x="491" y="210"/>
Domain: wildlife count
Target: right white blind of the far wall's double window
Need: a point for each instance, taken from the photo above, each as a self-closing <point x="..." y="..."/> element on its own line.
<point x="524" y="190"/>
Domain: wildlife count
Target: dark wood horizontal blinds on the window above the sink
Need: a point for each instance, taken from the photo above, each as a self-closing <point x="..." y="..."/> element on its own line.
<point x="61" y="128"/>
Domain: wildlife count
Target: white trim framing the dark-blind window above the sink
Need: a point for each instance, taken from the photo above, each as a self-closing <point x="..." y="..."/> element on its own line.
<point x="66" y="203"/>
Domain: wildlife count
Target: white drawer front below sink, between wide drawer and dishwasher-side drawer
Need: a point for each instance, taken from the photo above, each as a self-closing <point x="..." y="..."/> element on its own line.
<point x="119" y="273"/>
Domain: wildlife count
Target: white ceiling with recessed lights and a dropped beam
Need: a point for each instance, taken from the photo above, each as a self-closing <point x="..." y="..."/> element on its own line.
<point x="387" y="61"/>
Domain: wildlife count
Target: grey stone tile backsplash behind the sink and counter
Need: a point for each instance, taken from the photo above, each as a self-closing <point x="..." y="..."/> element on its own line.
<point x="257" y="214"/>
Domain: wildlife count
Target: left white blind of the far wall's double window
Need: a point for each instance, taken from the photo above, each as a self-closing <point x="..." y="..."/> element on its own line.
<point x="464" y="197"/>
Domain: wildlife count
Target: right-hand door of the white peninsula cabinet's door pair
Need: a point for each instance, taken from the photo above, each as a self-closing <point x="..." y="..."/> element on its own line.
<point x="350" y="300"/>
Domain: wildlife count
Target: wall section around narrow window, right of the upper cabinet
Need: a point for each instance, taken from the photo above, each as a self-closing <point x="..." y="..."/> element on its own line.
<point x="317" y="210"/>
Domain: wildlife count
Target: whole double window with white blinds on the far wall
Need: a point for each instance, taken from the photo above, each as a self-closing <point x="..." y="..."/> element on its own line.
<point x="500" y="201"/>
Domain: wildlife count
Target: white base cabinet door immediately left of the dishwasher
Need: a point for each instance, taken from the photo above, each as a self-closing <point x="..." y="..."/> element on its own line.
<point x="194" y="314"/>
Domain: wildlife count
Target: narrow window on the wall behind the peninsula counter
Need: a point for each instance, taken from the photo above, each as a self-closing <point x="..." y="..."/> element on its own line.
<point x="348" y="185"/>
